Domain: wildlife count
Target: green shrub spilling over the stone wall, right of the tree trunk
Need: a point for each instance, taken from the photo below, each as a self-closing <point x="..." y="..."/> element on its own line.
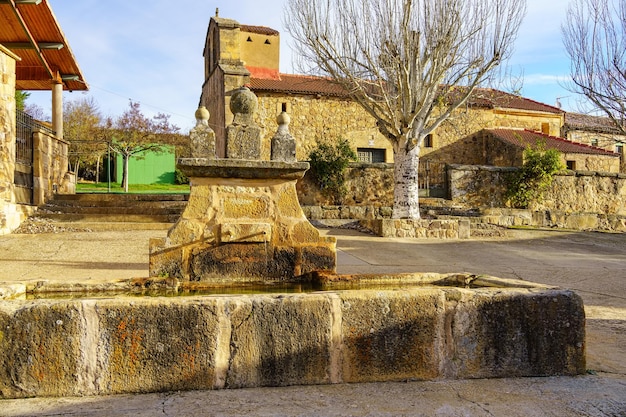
<point x="534" y="177"/>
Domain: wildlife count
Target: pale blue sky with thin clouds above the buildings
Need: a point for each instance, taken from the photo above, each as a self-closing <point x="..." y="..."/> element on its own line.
<point x="151" y="52"/>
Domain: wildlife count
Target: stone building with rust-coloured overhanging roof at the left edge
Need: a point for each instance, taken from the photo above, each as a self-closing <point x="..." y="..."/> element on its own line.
<point x="34" y="55"/>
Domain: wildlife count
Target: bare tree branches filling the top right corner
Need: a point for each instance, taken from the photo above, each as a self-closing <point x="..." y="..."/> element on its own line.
<point x="594" y="36"/>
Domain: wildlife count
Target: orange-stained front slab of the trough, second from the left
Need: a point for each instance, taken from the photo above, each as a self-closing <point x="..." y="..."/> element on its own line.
<point x="156" y="345"/>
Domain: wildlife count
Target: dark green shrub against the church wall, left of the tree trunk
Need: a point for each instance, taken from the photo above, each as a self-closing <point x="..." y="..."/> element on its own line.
<point x="328" y="165"/>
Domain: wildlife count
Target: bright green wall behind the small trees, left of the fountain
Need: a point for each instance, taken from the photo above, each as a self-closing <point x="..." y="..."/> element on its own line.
<point x="149" y="168"/>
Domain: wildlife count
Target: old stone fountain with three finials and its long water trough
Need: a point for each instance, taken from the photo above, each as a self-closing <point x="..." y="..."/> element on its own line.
<point x="242" y="226"/>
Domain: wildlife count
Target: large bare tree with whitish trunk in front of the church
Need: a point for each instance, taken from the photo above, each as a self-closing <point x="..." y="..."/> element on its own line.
<point x="408" y="63"/>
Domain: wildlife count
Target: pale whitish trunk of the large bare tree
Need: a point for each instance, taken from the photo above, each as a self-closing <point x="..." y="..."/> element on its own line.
<point x="406" y="190"/>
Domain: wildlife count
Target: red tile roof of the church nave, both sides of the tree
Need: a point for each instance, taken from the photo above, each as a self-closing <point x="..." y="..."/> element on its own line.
<point x="303" y="84"/>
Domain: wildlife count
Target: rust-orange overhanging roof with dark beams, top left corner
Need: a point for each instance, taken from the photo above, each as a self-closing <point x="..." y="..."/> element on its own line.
<point x="29" y="29"/>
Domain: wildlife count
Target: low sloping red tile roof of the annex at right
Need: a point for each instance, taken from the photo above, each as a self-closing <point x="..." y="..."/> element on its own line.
<point x="524" y="138"/>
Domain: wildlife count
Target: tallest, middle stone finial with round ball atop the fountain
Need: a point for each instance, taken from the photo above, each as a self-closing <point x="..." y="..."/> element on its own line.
<point x="243" y="136"/>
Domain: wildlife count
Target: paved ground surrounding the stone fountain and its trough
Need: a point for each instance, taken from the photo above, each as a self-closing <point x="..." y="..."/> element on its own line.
<point x="593" y="264"/>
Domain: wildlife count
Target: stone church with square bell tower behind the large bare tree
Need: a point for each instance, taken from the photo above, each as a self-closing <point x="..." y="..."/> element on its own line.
<point x="320" y="110"/>
